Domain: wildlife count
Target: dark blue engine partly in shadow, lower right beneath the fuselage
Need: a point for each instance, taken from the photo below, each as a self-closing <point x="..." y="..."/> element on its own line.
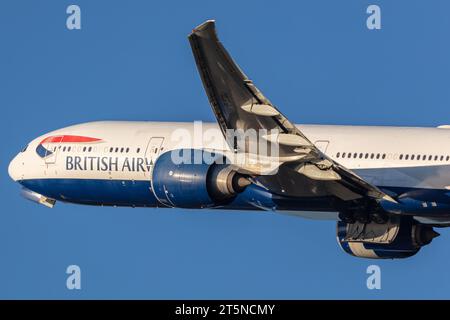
<point x="401" y="238"/>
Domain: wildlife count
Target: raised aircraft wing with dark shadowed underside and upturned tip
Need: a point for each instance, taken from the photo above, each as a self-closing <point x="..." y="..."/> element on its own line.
<point x="238" y="105"/>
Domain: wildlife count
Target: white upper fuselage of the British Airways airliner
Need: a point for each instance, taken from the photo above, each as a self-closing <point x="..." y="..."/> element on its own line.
<point x="375" y="148"/>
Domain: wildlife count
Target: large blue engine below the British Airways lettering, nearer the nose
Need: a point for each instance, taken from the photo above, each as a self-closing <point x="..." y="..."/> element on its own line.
<point x="194" y="182"/>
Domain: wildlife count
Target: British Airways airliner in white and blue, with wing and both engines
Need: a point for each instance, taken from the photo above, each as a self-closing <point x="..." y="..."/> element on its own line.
<point x="387" y="188"/>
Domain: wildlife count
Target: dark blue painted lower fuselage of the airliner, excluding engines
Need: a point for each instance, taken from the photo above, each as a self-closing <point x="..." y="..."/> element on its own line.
<point x="427" y="202"/>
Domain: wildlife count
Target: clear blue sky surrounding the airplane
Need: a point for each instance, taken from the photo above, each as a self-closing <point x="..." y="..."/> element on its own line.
<point x="316" y="60"/>
